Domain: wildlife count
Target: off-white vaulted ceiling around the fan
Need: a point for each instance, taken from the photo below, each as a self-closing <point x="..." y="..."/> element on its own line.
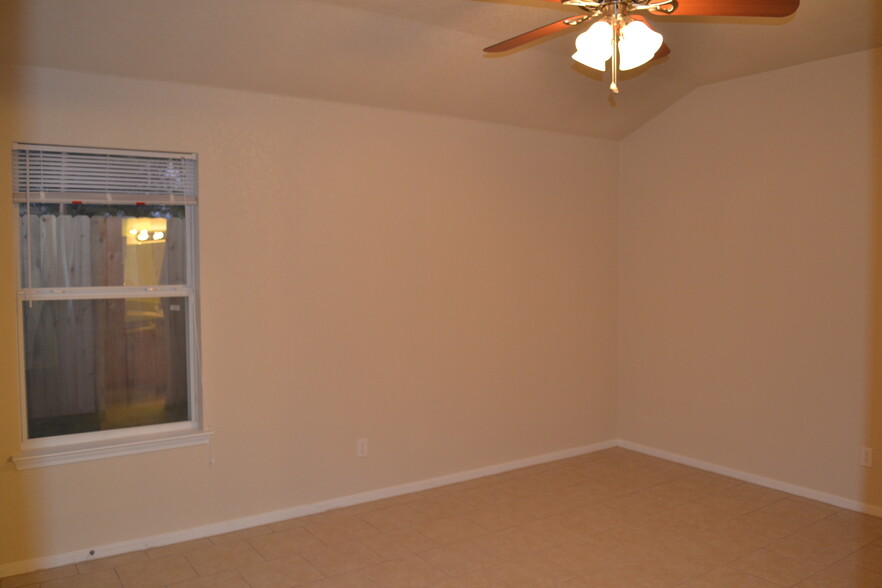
<point x="420" y="55"/>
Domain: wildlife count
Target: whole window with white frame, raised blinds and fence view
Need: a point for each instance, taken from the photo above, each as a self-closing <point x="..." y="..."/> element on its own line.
<point x="107" y="302"/>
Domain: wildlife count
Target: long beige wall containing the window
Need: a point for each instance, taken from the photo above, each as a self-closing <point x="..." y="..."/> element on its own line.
<point x="444" y="288"/>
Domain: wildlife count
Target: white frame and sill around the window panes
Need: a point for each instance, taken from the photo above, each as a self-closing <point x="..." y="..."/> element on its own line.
<point x="62" y="449"/>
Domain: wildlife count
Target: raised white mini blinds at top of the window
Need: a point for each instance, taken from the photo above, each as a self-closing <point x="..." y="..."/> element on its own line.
<point x="53" y="174"/>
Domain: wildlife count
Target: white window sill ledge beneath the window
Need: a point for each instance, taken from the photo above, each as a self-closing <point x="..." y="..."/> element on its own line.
<point x="50" y="456"/>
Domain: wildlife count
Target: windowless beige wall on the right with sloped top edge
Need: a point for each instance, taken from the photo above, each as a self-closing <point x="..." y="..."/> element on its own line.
<point x="745" y="282"/>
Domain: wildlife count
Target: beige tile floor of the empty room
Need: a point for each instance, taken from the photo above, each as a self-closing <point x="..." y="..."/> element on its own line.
<point x="609" y="519"/>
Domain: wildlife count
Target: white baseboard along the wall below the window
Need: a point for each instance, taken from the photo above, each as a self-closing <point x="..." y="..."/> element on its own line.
<point x="52" y="561"/>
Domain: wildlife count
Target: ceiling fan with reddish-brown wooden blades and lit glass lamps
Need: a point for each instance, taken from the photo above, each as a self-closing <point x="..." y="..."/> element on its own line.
<point x="621" y="34"/>
